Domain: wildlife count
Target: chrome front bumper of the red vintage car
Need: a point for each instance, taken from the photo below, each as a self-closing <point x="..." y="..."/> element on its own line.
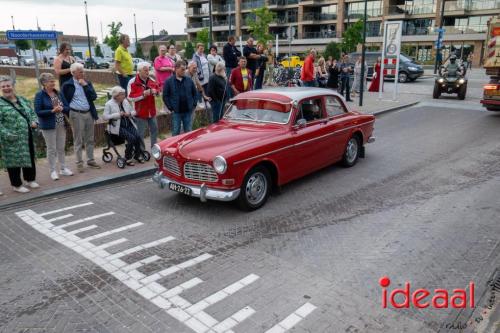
<point x="202" y="192"/>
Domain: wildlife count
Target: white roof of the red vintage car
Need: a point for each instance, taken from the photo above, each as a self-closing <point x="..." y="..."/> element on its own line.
<point x="286" y="94"/>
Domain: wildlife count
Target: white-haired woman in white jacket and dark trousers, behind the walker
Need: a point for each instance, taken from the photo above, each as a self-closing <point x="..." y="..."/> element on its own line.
<point x="120" y="113"/>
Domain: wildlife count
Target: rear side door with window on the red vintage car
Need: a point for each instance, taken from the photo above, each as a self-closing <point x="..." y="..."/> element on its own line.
<point x="338" y="125"/>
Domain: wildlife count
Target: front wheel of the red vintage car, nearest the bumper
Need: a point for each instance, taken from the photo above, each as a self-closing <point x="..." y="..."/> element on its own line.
<point x="255" y="189"/>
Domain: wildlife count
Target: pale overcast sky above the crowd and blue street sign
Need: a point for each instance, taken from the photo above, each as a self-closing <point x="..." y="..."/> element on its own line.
<point x="69" y="15"/>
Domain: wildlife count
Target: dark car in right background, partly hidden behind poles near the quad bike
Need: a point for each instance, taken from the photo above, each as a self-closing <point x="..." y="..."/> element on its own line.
<point x="409" y="70"/>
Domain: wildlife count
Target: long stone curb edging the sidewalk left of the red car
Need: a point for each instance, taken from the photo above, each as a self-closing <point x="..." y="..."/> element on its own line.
<point x="88" y="184"/>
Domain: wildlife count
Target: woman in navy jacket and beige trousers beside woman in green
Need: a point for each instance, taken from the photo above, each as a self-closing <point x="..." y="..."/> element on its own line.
<point x="49" y="109"/>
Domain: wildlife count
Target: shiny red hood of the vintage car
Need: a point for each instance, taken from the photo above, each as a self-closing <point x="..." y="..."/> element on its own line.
<point x="225" y="138"/>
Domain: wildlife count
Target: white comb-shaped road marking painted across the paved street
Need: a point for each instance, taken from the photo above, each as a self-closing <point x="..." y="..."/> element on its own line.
<point x="192" y="315"/>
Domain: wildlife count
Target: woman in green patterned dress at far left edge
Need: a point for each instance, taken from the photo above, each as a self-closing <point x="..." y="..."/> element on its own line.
<point x="17" y="150"/>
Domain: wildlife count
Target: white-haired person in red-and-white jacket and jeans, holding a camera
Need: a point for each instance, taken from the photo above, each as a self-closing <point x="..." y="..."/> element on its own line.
<point x="142" y="90"/>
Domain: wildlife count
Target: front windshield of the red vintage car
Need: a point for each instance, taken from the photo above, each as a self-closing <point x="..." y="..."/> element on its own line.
<point x="255" y="110"/>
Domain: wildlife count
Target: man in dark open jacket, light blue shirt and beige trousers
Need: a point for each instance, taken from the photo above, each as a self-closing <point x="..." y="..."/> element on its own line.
<point x="78" y="96"/>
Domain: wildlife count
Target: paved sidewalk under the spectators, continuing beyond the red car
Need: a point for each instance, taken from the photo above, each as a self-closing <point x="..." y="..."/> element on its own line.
<point x="110" y="173"/>
